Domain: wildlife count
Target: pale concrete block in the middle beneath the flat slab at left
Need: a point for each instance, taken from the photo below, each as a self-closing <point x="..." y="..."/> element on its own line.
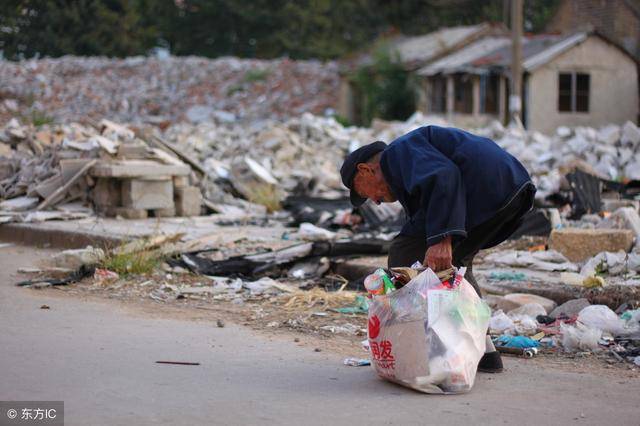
<point x="147" y="194"/>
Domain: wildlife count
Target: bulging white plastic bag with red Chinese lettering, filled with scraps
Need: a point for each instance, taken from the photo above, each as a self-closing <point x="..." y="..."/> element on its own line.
<point x="429" y="335"/>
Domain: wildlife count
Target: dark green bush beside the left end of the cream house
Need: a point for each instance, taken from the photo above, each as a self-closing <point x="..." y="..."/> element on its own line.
<point x="386" y="89"/>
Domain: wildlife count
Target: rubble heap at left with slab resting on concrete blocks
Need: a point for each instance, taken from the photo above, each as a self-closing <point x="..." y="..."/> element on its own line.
<point x="106" y="165"/>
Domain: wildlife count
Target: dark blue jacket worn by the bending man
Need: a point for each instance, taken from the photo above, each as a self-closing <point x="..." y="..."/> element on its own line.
<point x="449" y="180"/>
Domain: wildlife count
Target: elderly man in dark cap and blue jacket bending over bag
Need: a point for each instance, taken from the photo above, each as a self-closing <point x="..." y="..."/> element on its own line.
<point x="462" y="193"/>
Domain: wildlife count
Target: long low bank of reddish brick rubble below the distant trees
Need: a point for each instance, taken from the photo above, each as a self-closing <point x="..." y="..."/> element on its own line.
<point x="166" y="90"/>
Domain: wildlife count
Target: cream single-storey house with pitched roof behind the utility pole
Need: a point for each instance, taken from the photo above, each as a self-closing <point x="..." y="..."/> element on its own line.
<point x="582" y="79"/>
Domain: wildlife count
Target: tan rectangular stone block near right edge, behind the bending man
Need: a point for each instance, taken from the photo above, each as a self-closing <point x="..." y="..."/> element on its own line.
<point x="579" y="245"/>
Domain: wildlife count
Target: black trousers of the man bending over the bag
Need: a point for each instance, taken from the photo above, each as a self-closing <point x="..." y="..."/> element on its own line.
<point x="405" y="250"/>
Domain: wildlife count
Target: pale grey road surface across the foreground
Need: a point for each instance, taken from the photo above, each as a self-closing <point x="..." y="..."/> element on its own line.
<point x="99" y="357"/>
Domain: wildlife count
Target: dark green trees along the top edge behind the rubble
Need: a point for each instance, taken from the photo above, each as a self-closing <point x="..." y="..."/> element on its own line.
<point x="323" y="29"/>
